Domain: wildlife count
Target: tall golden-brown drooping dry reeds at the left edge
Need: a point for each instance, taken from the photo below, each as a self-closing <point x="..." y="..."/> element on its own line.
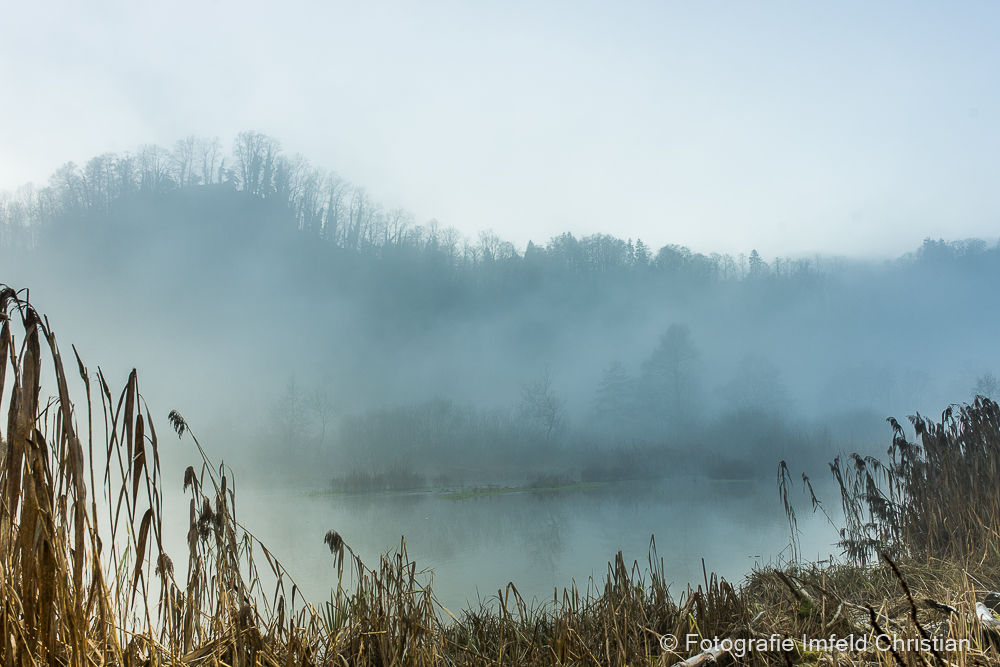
<point x="80" y="588"/>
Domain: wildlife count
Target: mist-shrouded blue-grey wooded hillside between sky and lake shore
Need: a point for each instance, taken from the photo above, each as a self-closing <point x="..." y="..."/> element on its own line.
<point x="222" y="275"/>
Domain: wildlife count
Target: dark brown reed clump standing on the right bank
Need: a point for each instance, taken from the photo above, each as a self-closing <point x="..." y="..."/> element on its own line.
<point x="936" y="497"/>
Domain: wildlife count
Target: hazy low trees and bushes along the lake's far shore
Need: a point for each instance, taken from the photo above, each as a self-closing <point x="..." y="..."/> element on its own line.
<point x="659" y="422"/>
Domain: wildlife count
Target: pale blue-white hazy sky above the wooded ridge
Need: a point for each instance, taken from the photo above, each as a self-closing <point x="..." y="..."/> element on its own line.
<point x="850" y="128"/>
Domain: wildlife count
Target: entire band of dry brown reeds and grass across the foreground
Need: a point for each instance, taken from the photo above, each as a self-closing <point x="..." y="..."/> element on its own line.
<point x="85" y="580"/>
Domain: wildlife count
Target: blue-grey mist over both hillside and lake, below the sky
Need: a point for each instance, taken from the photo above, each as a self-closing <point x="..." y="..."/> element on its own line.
<point x="319" y="343"/>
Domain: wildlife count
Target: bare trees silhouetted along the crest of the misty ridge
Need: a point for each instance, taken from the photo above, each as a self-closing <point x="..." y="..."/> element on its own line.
<point x="325" y="206"/>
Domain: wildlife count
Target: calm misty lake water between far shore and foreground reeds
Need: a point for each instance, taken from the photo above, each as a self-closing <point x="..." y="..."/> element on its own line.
<point x="538" y="540"/>
